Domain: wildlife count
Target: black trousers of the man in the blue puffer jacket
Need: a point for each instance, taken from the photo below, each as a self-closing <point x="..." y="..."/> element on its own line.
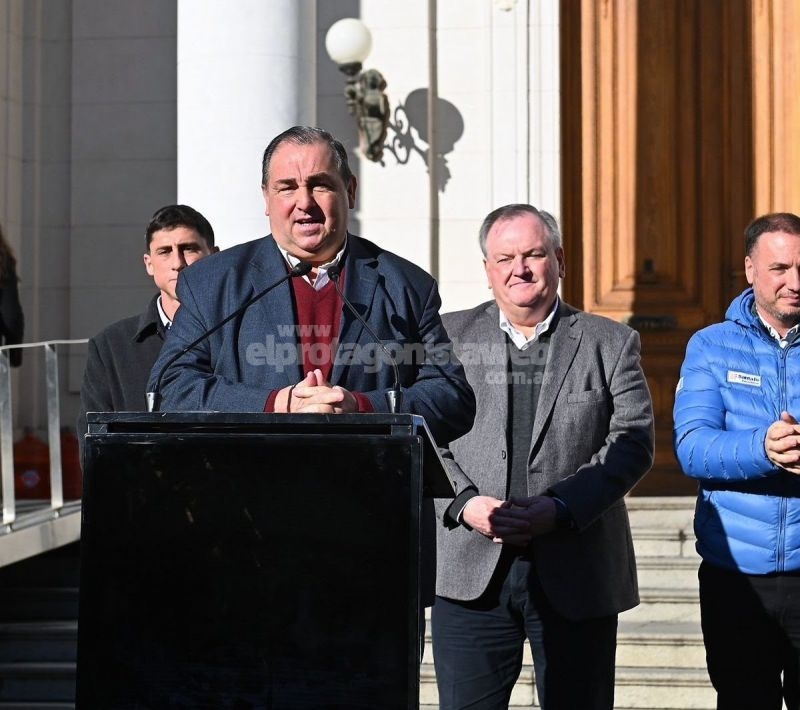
<point x="751" y="630"/>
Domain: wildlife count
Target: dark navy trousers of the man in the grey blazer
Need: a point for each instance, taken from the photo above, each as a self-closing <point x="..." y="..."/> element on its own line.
<point x="478" y="646"/>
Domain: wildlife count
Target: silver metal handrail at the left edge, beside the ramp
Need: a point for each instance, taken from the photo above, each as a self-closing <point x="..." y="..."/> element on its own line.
<point x="53" y="433"/>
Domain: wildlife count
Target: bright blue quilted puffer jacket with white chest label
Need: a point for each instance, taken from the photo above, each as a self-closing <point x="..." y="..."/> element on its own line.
<point x="735" y="381"/>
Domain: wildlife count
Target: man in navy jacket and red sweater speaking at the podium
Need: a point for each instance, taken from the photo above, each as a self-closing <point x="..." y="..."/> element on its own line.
<point x="296" y="349"/>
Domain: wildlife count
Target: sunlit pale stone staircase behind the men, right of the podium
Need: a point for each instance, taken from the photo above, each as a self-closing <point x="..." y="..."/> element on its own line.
<point x="660" y="654"/>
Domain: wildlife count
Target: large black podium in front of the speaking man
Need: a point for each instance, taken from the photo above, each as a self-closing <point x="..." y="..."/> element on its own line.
<point x="253" y="561"/>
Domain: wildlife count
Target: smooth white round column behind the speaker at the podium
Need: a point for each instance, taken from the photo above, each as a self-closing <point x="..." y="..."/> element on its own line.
<point x="246" y="72"/>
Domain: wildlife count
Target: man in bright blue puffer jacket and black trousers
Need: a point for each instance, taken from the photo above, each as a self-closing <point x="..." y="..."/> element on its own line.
<point x="736" y="433"/>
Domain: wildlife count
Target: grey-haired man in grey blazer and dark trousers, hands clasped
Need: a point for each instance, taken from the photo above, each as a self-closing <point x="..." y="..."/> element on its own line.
<point x="541" y="546"/>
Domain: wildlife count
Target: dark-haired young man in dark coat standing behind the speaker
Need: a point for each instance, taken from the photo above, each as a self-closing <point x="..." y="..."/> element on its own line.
<point x="121" y="356"/>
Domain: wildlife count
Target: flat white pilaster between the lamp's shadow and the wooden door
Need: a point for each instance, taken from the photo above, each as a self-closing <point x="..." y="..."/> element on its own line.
<point x="498" y="69"/>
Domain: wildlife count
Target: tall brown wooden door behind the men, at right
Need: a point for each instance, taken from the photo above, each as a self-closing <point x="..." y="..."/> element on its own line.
<point x="680" y="123"/>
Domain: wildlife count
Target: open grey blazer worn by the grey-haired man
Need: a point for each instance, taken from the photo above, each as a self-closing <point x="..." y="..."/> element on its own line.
<point x="592" y="440"/>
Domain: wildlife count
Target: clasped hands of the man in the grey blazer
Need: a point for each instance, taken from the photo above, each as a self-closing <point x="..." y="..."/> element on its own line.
<point x="514" y="521"/>
